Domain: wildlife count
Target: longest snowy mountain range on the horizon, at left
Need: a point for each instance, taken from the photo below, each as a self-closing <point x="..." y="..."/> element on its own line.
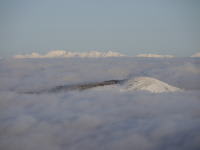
<point x="68" y="54"/>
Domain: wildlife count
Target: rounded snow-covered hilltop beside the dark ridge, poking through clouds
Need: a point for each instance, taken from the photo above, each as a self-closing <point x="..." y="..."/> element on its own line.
<point x="149" y="84"/>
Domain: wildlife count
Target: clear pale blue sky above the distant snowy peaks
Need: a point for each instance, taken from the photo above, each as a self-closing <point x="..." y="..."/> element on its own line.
<point x="128" y="26"/>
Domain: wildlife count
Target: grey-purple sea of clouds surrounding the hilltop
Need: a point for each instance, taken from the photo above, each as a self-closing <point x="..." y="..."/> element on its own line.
<point x="100" y="119"/>
